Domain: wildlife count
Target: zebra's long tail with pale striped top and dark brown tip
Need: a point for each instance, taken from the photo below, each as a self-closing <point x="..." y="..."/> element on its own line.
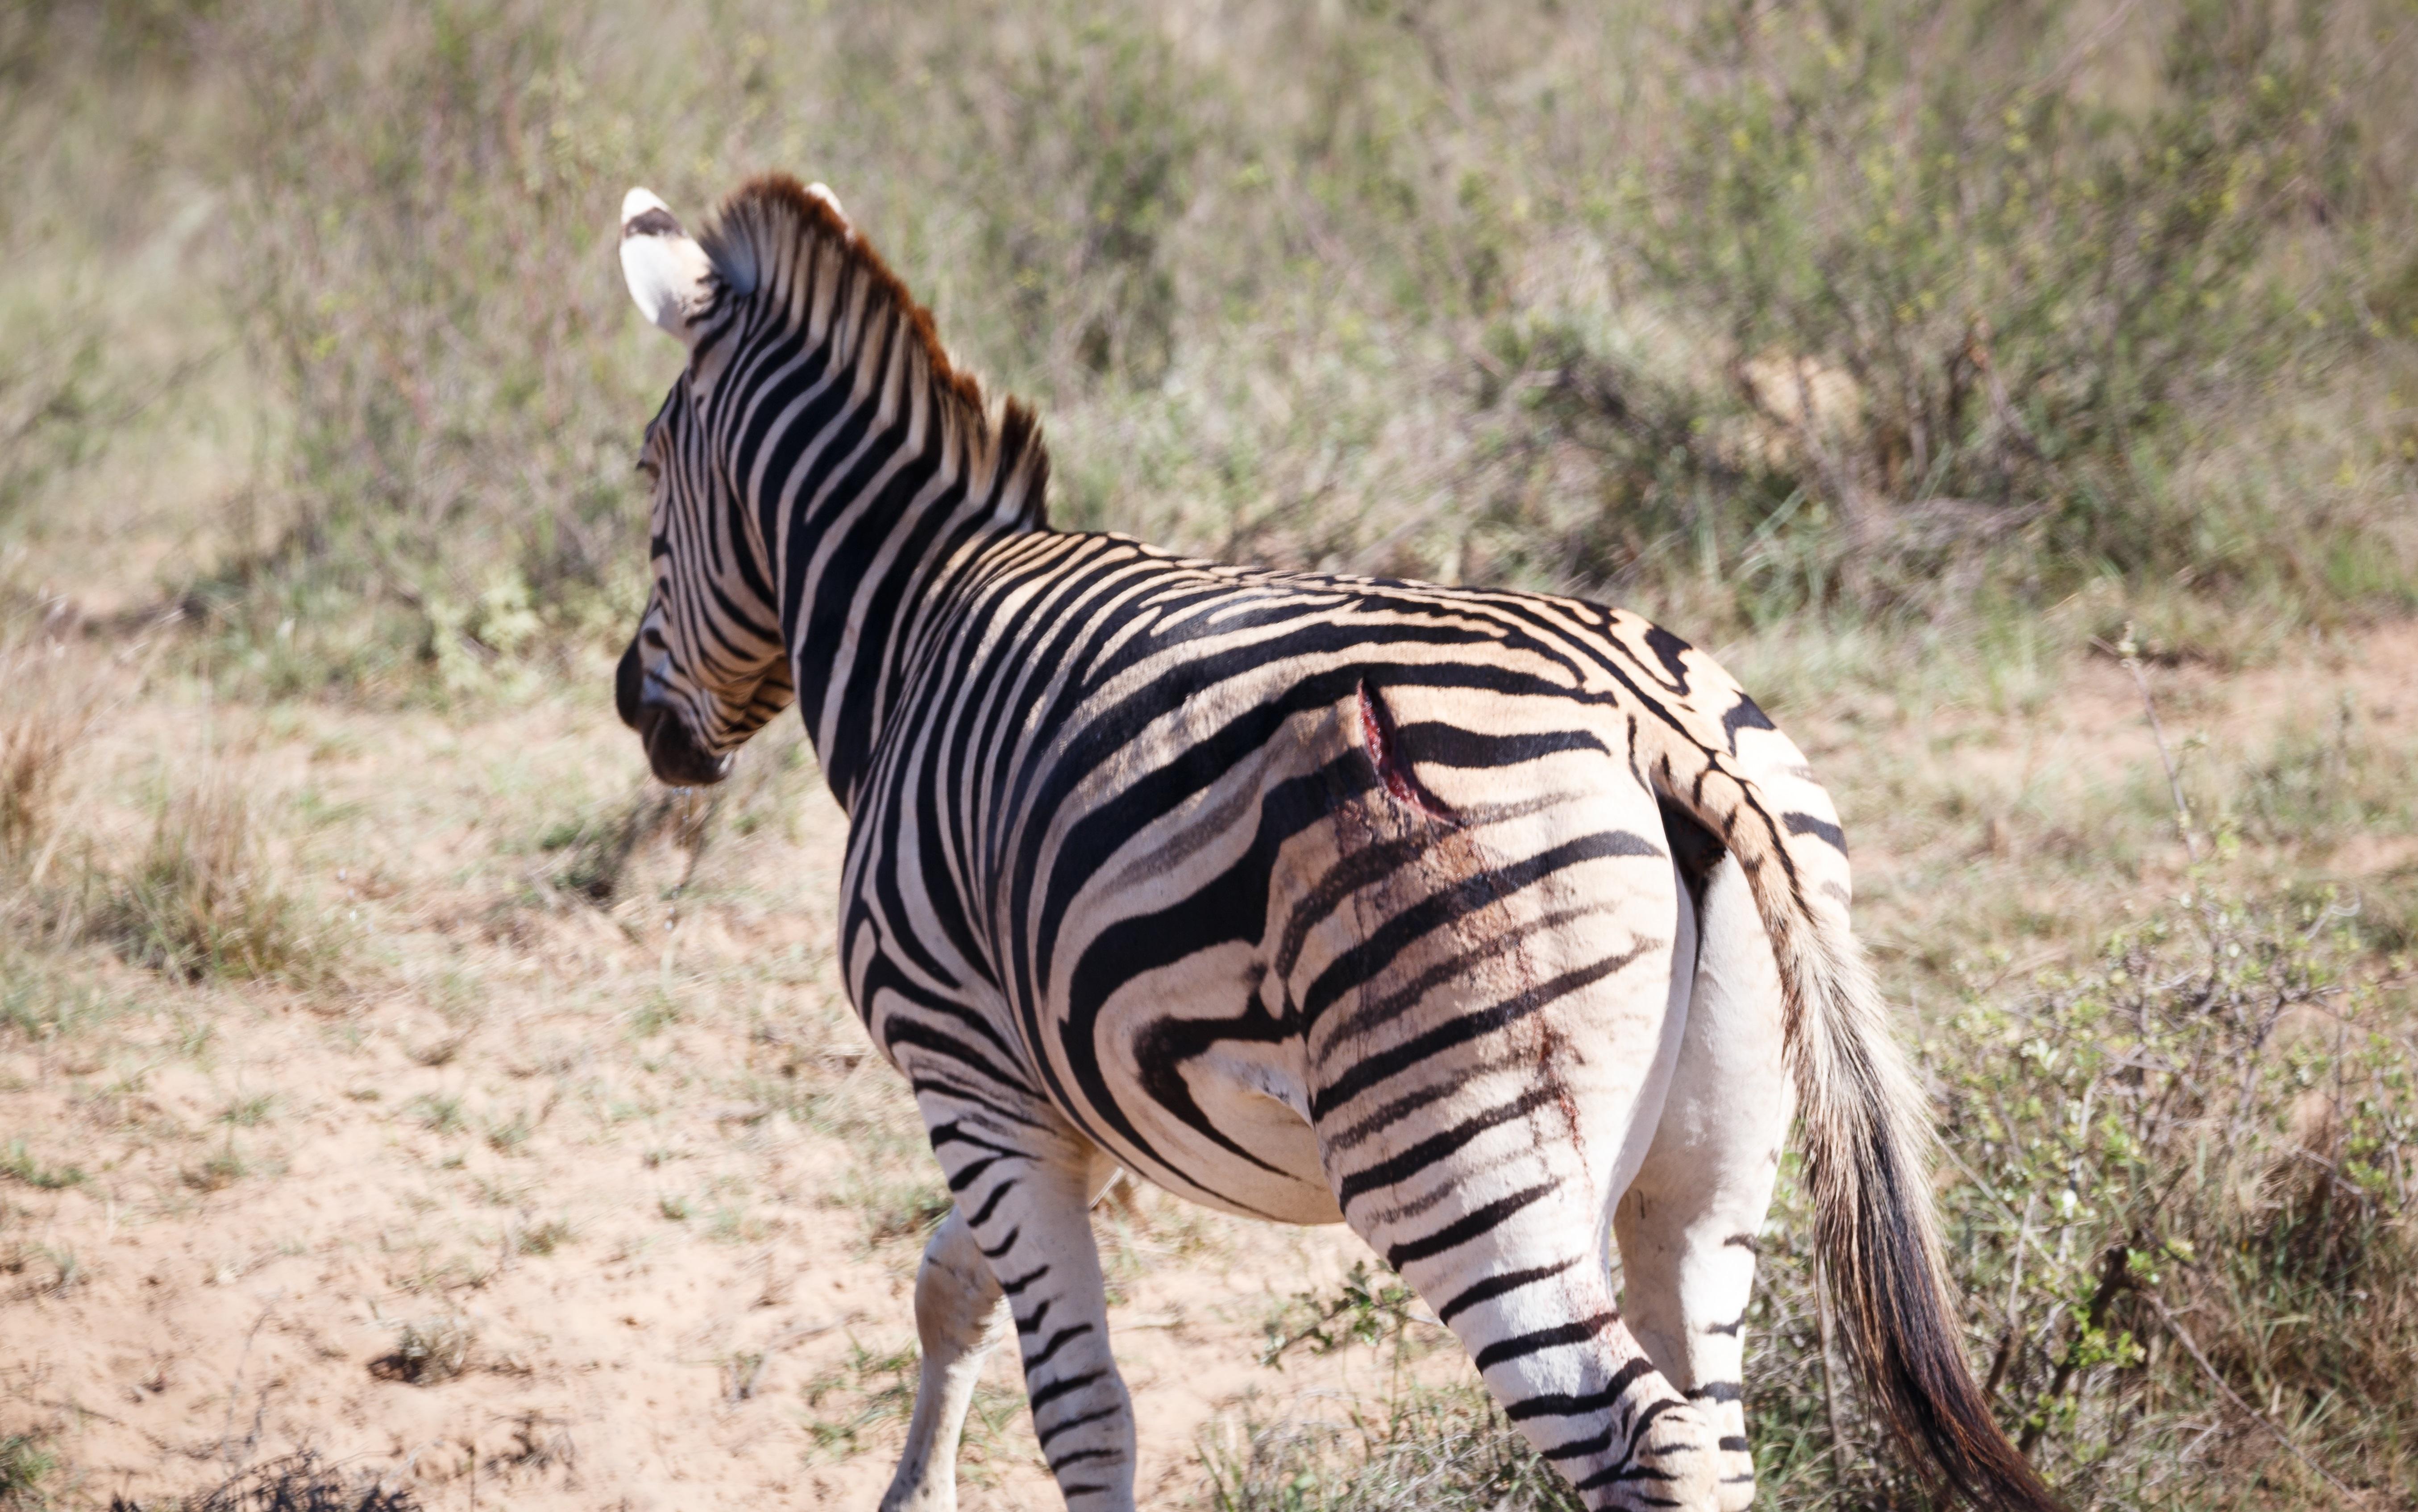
<point x="1868" y="1163"/>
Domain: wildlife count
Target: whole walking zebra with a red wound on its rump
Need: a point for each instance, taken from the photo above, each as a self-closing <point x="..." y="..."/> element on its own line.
<point x="1503" y="929"/>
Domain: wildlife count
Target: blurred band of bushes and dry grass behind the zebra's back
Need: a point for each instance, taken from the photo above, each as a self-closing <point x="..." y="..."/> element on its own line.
<point x="1907" y="306"/>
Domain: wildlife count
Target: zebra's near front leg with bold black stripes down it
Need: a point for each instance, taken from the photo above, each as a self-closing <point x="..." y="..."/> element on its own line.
<point x="1026" y="1194"/>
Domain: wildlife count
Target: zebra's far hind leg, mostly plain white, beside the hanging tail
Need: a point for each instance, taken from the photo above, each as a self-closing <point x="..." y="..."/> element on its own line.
<point x="1689" y="1219"/>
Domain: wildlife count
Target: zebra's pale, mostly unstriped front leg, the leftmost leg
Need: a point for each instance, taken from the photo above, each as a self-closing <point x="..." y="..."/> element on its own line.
<point x="959" y="1318"/>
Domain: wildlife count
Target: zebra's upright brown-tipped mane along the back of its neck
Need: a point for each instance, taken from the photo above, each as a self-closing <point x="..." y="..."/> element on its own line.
<point x="773" y="228"/>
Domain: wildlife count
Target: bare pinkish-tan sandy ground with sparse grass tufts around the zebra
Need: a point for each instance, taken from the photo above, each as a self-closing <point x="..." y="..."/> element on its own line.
<point x="516" y="1197"/>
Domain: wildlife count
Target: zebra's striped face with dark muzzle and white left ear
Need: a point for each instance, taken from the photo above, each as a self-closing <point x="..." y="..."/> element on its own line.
<point x="707" y="665"/>
